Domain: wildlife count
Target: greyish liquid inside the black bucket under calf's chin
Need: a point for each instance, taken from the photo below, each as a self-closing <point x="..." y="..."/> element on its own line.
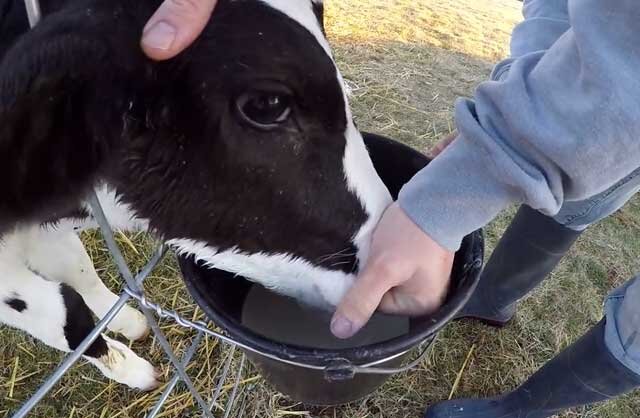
<point x="283" y="319"/>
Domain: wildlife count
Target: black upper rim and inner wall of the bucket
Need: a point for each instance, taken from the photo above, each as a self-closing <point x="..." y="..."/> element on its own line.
<point x="466" y="274"/>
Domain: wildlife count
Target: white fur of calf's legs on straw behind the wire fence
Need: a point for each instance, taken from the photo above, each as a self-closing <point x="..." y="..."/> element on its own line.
<point x="33" y="263"/>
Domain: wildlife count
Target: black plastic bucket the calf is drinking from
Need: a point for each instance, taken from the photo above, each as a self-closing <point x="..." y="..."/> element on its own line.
<point x="333" y="377"/>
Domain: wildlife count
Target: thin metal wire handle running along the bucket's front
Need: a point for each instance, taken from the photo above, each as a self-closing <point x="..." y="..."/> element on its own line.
<point x="339" y="370"/>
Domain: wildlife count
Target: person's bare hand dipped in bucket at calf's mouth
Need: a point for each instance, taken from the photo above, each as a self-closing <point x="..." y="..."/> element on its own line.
<point x="407" y="274"/>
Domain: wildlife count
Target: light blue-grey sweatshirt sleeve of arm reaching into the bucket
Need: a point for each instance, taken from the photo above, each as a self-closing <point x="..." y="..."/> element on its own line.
<point x="562" y="124"/>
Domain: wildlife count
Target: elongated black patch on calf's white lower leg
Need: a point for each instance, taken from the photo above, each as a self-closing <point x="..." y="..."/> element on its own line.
<point x="80" y="323"/>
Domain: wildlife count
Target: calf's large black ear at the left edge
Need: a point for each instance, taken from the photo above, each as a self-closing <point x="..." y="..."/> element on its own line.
<point x="69" y="93"/>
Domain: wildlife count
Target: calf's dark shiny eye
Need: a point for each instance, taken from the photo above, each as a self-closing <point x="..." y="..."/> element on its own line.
<point x="264" y="110"/>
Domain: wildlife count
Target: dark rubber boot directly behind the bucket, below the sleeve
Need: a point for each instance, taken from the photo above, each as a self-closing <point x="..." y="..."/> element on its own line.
<point x="529" y="250"/>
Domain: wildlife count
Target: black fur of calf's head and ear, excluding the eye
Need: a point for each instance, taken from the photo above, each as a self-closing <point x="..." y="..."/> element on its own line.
<point x="79" y="103"/>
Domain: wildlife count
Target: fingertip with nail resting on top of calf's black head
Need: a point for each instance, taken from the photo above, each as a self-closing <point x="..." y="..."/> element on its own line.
<point x="174" y="26"/>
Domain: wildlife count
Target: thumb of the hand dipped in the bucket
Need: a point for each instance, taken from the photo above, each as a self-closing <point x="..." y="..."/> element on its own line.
<point x="360" y="303"/>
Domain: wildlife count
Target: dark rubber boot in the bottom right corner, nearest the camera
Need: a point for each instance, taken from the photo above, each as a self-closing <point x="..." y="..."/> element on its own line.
<point x="583" y="374"/>
